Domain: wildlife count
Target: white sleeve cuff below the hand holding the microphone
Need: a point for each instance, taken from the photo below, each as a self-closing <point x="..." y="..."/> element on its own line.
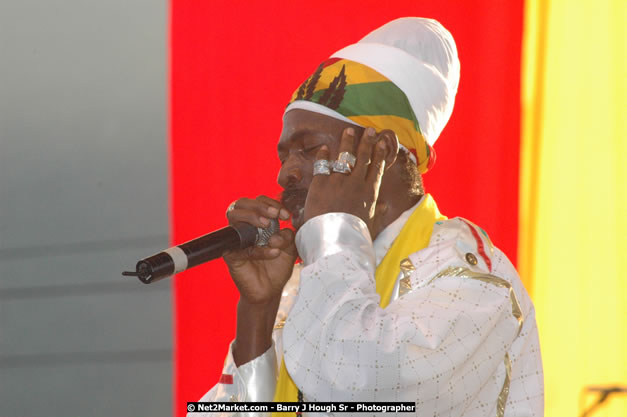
<point x="253" y="381"/>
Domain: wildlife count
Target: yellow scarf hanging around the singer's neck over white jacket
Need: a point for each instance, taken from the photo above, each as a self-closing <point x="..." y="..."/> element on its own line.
<point x="414" y="236"/>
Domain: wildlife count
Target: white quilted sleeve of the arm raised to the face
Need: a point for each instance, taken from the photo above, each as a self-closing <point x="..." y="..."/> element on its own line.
<point x="441" y="345"/>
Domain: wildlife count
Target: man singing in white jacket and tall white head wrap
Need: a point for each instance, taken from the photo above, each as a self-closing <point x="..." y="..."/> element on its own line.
<point x="392" y="300"/>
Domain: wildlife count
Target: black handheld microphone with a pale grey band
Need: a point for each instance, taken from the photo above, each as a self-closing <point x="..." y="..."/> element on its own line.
<point x="200" y="250"/>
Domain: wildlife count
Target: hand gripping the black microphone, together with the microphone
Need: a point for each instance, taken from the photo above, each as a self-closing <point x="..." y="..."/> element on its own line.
<point x="260" y="257"/>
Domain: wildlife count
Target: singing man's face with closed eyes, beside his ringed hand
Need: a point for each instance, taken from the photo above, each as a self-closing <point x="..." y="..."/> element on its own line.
<point x="303" y="134"/>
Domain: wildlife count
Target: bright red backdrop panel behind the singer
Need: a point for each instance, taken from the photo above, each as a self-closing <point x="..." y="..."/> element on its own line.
<point x="234" y="65"/>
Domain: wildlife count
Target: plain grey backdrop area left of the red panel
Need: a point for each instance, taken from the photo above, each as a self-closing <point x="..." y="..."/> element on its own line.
<point x="83" y="195"/>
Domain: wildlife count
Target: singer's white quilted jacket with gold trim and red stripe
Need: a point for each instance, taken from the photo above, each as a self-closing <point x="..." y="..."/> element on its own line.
<point x="459" y="337"/>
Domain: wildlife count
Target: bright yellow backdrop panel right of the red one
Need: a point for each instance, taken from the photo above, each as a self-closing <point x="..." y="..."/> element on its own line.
<point x="573" y="227"/>
